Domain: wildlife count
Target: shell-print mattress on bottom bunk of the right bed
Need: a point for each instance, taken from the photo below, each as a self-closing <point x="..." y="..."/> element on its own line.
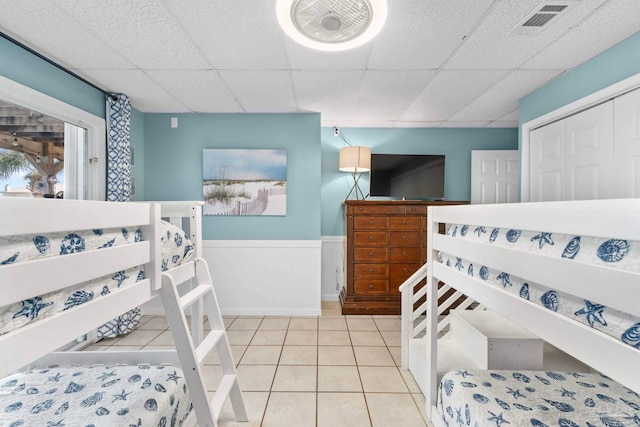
<point x="533" y="398"/>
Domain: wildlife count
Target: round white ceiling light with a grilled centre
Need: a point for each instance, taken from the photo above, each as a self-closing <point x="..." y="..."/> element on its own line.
<point x="331" y="25"/>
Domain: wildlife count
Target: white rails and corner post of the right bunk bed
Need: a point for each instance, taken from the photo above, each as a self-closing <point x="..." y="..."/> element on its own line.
<point x="614" y="288"/>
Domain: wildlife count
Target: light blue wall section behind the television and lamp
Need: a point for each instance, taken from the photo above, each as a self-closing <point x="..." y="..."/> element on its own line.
<point x="455" y="144"/>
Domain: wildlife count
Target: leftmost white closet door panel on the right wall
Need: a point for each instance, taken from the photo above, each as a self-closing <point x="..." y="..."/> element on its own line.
<point x="547" y="155"/>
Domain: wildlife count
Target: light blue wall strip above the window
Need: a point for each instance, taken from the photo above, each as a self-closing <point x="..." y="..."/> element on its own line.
<point x="23" y="67"/>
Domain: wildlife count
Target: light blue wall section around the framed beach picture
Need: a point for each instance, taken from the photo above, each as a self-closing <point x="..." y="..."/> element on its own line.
<point x="173" y="167"/>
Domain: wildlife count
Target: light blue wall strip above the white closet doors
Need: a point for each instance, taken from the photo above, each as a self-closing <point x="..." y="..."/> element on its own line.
<point x="611" y="66"/>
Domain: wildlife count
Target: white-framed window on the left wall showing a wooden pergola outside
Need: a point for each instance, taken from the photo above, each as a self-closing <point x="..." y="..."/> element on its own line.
<point x="51" y="147"/>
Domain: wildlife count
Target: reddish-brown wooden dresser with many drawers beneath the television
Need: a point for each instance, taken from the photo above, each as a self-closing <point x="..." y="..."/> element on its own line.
<point x="386" y="243"/>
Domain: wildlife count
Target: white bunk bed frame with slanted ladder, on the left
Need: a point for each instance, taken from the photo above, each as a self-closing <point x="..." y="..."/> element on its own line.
<point x="35" y="344"/>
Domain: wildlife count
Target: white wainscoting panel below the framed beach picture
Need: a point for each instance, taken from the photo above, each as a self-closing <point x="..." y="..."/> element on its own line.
<point x="265" y="277"/>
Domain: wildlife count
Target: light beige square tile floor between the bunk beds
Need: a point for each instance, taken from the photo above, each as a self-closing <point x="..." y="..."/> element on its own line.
<point x="327" y="371"/>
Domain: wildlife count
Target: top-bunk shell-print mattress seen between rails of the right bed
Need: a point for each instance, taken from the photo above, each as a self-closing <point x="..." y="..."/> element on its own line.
<point x="612" y="253"/>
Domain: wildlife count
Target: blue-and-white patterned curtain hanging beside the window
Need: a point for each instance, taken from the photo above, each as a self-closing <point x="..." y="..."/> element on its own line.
<point x="119" y="188"/>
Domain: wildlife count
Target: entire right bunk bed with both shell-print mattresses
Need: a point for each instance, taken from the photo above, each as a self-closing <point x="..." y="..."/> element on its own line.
<point x="566" y="272"/>
